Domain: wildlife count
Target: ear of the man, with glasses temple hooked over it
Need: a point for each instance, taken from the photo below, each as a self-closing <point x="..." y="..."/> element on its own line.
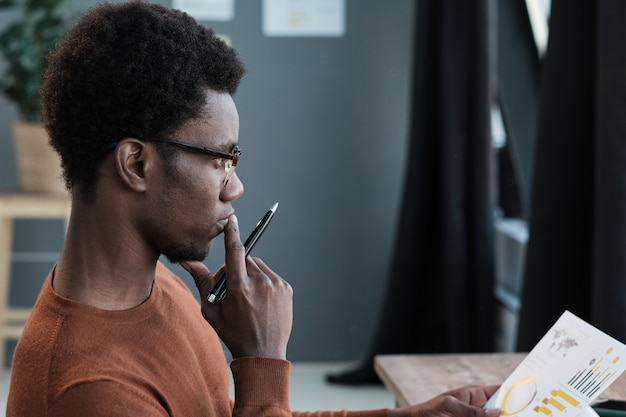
<point x="132" y="159"/>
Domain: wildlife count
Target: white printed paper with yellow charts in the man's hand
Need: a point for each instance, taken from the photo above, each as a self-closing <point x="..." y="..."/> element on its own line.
<point x="569" y="368"/>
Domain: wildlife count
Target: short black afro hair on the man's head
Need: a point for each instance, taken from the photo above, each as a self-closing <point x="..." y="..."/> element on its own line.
<point x="132" y="69"/>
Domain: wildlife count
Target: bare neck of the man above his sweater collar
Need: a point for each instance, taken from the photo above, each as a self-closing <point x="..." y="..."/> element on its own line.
<point x="102" y="263"/>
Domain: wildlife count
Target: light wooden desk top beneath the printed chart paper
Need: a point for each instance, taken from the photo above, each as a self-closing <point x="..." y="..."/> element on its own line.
<point x="414" y="379"/>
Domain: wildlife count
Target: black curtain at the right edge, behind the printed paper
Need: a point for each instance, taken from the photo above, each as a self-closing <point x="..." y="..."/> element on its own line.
<point x="576" y="255"/>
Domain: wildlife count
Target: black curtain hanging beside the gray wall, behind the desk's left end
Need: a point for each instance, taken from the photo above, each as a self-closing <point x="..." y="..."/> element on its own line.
<point x="440" y="288"/>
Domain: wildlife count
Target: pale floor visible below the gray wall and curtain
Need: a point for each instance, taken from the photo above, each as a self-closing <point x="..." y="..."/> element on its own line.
<point x="308" y="391"/>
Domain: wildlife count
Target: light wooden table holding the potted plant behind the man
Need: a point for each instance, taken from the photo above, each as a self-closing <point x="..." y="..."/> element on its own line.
<point x="13" y="206"/>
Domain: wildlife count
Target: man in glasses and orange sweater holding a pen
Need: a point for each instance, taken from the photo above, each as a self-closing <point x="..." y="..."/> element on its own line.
<point x="138" y="103"/>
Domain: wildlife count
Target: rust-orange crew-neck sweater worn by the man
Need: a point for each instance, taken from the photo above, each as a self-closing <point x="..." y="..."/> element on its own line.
<point x="158" y="359"/>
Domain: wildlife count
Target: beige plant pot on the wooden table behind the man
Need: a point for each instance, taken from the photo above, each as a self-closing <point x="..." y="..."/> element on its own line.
<point x="39" y="166"/>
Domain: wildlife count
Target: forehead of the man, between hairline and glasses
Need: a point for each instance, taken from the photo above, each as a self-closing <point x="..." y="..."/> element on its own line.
<point x="217" y="126"/>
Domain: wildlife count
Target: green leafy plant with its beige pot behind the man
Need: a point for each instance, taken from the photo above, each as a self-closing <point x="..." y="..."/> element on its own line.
<point x="24" y="46"/>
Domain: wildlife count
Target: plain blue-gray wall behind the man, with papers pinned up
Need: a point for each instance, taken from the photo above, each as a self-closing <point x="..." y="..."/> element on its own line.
<point x="324" y="130"/>
